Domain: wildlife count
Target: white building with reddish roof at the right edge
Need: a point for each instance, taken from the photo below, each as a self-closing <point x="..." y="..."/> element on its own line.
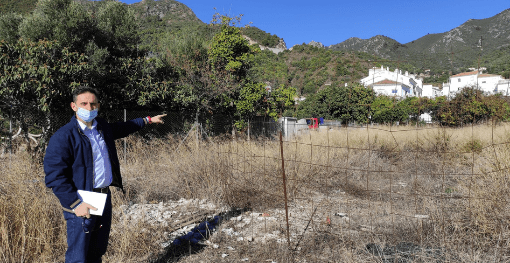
<point x="488" y="83"/>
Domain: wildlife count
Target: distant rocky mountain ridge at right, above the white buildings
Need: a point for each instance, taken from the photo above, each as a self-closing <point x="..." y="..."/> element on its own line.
<point x="454" y="50"/>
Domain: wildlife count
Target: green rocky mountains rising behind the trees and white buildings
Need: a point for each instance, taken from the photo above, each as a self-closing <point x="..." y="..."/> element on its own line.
<point x="311" y="66"/>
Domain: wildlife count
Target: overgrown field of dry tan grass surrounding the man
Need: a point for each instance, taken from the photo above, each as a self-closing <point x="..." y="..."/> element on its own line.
<point x="376" y="194"/>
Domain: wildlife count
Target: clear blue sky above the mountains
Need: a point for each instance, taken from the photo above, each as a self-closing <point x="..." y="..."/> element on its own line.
<point x="334" y="21"/>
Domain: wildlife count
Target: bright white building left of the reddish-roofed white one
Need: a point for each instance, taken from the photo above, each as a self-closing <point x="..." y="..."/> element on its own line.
<point x="393" y="83"/>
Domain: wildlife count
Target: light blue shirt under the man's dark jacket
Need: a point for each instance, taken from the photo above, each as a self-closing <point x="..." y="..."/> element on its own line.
<point x="102" y="166"/>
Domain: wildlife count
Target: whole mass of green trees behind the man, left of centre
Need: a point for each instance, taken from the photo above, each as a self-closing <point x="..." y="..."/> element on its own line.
<point x="194" y="69"/>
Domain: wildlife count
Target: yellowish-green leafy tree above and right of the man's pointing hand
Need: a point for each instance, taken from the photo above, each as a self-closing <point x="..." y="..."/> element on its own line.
<point x="212" y="73"/>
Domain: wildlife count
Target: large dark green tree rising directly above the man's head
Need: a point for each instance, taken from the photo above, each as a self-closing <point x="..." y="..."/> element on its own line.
<point x="108" y="37"/>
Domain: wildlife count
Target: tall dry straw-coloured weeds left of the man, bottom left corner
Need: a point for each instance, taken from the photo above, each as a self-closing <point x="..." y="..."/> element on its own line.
<point x="31" y="223"/>
